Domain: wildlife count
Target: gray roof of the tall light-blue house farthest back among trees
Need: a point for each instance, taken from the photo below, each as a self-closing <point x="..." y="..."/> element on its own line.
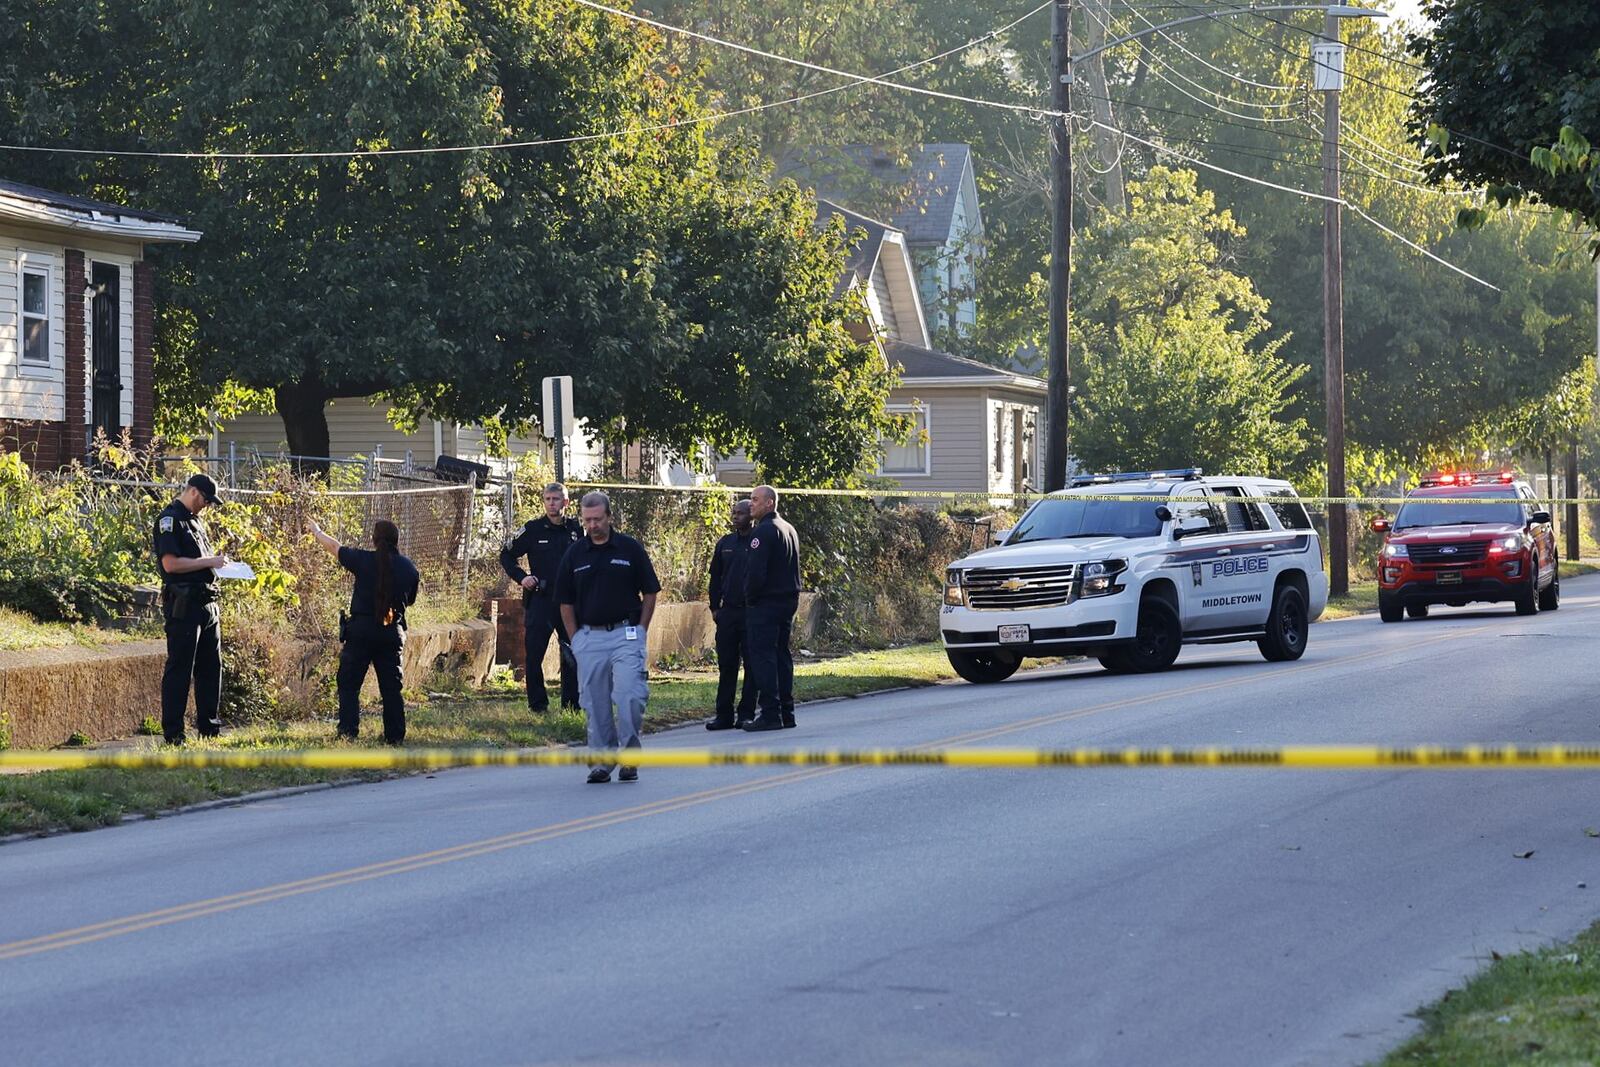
<point x="929" y="186"/>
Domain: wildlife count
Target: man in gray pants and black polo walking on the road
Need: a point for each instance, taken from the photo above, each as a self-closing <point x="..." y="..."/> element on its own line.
<point x="607" y="589"/>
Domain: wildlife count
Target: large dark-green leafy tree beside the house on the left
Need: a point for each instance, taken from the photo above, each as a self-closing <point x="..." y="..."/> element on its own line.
<point x="452" y="281"/>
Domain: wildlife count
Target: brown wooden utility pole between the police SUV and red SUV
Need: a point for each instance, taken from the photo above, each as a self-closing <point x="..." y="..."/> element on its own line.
<point x="1329" y="66"/>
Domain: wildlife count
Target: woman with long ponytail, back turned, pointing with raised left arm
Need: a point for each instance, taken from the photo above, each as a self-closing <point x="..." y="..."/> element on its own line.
<point x="386" y="585"/>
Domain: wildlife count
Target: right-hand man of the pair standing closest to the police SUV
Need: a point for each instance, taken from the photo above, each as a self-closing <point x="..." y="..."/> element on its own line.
<point x="772" y="593"/>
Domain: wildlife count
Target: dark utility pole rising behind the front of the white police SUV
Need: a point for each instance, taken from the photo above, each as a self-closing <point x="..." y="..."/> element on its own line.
<point x="1058" y="358"/>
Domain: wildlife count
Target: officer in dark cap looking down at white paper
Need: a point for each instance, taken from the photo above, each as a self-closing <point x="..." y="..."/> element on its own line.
<point x="190" y="591"/>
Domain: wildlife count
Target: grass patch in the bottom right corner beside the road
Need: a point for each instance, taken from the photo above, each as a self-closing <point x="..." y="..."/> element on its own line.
<point x="1530" y="1009"/>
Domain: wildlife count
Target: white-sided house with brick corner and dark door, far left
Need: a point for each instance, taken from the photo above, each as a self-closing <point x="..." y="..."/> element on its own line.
<point x="78" y="322"/>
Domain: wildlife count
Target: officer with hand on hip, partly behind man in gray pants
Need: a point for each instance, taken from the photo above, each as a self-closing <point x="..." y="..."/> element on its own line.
<point x="545" y="541"/>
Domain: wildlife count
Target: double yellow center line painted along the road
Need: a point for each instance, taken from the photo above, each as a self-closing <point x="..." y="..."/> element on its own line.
<point x="406" y="865"/>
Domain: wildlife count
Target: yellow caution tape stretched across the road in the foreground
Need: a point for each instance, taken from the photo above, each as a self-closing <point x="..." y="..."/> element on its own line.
<point x="1289" y="757"/>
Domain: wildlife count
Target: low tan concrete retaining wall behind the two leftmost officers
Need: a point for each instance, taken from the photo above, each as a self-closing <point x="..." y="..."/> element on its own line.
<point x="49" y="693"/>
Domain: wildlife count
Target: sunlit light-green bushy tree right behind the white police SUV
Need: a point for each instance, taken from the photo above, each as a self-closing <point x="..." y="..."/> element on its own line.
<point x="1170" y="362"/>
